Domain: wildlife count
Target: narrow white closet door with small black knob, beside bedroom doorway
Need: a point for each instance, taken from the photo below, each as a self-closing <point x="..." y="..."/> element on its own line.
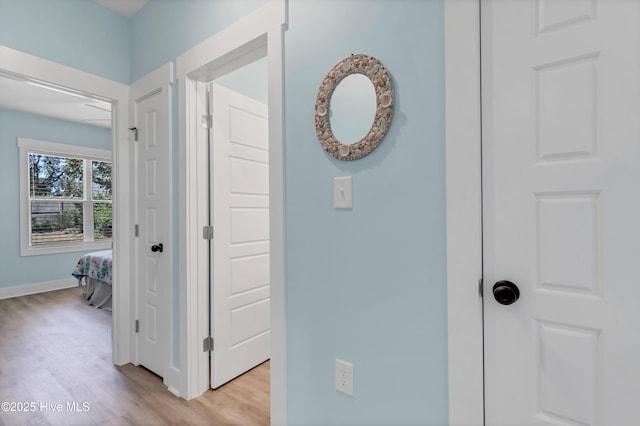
<point x="152" y="253"/>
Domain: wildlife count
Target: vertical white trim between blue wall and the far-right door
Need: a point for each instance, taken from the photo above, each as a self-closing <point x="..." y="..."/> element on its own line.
<point x="464" y="212"/>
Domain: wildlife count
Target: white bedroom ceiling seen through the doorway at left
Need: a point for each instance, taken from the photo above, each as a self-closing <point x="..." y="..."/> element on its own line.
<point x="33" y="98"/>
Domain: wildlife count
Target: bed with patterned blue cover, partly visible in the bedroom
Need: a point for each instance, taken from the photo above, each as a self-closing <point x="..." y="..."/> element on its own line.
<point x="93" y="272"/>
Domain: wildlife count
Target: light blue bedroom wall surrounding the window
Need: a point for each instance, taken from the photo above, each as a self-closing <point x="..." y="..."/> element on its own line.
<point x="14" y="269"/>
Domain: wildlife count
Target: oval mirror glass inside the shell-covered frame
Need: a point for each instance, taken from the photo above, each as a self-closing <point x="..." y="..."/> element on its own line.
<point x="353" y="108"/>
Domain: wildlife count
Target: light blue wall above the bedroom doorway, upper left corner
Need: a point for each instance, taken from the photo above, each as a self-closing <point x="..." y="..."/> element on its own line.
<point x="77" y="33"/>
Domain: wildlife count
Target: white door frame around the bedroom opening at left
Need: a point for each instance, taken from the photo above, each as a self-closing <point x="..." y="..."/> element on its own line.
<point x="37" y="69"/>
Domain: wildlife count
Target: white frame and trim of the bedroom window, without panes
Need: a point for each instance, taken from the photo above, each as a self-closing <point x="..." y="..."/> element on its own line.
<point x="32" y="146"/>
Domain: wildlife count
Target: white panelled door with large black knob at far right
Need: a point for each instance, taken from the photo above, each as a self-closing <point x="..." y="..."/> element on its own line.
<point x="561" y="169"/>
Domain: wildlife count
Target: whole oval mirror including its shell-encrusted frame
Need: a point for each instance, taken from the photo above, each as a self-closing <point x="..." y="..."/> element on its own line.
<point x="344" y="107"/>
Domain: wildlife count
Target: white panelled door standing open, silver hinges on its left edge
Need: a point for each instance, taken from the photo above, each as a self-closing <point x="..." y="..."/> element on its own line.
<point x="240" y="294"/>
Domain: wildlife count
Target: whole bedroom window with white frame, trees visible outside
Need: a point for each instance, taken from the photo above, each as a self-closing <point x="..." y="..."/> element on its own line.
<point x="66" y="198"/>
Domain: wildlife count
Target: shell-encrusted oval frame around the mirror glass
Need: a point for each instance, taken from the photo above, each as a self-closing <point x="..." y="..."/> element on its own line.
<point x="373" y="69"/>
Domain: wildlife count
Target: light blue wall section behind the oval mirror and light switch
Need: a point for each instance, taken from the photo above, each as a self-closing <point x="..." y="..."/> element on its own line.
<point x="367" y="285"/>
